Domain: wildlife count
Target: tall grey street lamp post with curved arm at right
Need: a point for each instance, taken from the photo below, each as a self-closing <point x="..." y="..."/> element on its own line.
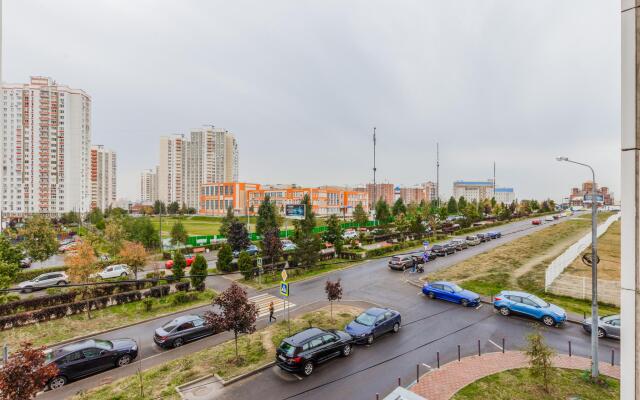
<point x="594" y="270"/>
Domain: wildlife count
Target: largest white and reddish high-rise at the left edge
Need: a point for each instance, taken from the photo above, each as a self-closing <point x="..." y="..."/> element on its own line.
<point x="45" y="131"/>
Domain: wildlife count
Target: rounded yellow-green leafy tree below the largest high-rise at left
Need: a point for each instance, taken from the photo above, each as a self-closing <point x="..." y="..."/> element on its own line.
<point x="40" y="239"/>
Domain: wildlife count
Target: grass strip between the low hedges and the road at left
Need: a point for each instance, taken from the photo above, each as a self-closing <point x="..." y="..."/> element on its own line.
<point x="57" y="330"/>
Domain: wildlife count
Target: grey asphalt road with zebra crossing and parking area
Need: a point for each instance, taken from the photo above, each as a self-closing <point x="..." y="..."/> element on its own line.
<point x="428" y="327"/>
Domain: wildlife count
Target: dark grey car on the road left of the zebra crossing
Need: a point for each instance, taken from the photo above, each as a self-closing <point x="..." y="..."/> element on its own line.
<point x="182" y="329"/>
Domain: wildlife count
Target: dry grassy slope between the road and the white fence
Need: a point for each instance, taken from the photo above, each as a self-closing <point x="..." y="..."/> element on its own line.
<point x="494" y="270"/>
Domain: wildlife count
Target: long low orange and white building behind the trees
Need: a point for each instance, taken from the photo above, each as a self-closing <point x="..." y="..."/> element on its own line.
<point x="245" y="198"/>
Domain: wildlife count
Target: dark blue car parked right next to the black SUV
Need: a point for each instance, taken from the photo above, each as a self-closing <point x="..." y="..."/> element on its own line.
<point x="373" y="323"/>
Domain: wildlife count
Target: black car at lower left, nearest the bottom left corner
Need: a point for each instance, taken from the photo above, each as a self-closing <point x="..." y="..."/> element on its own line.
<point x="88" y="357"/>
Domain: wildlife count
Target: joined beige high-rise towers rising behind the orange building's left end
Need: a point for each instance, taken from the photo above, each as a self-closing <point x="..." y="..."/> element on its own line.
<point x="209" y="155"/>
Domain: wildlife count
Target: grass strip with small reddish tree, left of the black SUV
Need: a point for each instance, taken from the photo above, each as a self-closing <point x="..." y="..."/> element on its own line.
<point x="255" y="350"/>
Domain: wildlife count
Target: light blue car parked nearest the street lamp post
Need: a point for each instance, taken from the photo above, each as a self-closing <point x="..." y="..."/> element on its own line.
<point x="507" y="302"/>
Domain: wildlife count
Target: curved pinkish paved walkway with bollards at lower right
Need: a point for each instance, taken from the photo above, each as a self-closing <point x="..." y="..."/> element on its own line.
<point x="443" y="383"/>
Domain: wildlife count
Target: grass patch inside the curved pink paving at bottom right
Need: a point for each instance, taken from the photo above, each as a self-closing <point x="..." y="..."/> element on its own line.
<point x="518" y="384"/>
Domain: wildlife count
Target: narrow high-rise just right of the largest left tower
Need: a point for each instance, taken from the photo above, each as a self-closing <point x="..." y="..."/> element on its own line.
<point x="103" y="177"/>
